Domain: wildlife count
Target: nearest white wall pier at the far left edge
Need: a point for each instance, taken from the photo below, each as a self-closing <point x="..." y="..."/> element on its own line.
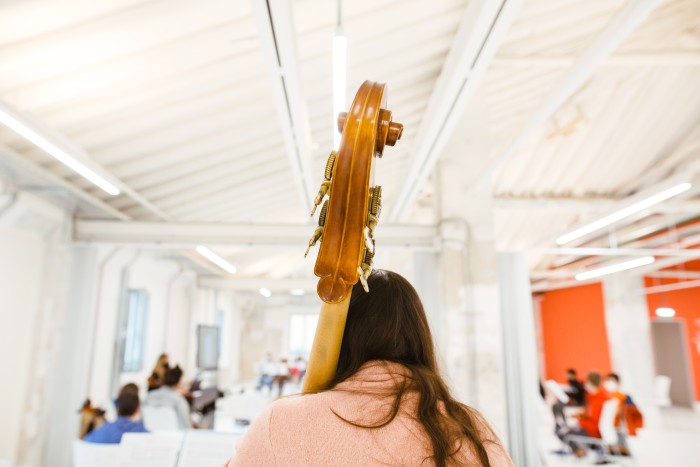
<point x="33" y="261"/>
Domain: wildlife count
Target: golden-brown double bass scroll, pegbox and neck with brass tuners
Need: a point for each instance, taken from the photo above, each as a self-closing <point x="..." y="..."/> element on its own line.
<point x="346" y="223"/>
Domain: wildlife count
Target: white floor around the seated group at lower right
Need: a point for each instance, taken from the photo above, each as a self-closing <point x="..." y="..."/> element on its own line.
<point x="670" y="438"/>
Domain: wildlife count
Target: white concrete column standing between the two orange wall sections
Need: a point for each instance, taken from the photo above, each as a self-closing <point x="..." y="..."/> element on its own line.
<point x="628" y="326"/>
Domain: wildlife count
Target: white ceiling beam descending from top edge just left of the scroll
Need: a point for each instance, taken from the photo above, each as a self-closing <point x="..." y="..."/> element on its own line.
<point x="275" y="24"/>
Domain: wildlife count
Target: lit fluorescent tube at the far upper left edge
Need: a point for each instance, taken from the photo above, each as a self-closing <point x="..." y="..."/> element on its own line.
<point x="15" y="123"/>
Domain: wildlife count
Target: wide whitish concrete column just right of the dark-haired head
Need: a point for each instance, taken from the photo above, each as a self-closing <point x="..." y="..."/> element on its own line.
<point x="468" y="271"/>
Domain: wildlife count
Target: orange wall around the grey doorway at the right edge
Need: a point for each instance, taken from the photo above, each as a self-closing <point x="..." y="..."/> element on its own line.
<point x="686" y="302"/>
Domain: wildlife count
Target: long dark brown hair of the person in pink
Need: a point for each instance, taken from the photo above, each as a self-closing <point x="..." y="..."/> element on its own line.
<point x="389" y="323"/>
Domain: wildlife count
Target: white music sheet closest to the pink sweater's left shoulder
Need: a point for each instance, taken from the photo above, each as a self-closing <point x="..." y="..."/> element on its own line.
<point x="207" y="449"/>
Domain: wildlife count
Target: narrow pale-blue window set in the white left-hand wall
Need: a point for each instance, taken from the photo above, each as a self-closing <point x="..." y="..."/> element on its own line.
<point x="133" y="337"/>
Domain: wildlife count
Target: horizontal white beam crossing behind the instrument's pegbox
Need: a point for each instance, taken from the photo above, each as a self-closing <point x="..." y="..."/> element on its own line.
<point x="174" y="235"/>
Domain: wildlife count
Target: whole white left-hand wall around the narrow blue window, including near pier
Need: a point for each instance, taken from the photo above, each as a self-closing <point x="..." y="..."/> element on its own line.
<point x="59" y="304"/>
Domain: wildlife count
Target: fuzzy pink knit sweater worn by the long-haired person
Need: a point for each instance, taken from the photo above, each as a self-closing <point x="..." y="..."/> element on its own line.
<point x="305" y="430"/>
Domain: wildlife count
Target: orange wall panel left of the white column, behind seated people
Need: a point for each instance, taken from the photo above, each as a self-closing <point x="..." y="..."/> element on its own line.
<point x="573" y="331"/>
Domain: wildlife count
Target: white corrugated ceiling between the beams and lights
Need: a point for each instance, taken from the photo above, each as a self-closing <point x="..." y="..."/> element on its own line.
<point x="175" y="100"/>
